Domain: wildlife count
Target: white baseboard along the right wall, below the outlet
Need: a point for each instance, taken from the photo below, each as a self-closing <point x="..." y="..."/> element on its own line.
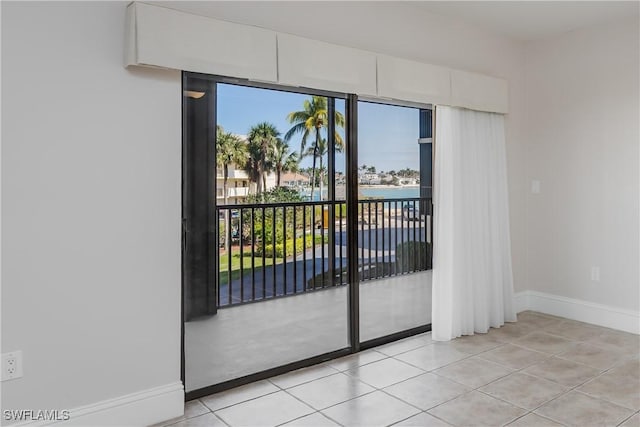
<point x="582" y="311"/>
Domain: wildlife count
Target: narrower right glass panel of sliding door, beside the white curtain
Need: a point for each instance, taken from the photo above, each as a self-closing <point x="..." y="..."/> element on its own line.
<point x="394" y="220"/>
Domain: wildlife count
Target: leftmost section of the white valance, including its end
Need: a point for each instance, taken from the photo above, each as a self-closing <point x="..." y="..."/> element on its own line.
<point x="162" y="37"/>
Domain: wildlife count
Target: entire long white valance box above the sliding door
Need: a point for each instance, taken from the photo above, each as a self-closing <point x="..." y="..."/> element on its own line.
<point x="161" y="37"/>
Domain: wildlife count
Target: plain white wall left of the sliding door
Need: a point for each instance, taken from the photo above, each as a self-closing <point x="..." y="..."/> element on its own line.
<point x="91" y="157"/>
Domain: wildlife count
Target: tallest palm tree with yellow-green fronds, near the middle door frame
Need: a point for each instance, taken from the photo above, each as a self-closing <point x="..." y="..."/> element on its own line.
<point x="311" y="120"/>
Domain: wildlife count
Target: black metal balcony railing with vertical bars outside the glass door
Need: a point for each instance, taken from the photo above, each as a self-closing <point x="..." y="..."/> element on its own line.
<point x="273" y="250"/>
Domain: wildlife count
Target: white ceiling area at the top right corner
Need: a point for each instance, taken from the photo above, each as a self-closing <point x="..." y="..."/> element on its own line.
<point x="531" y="20"/>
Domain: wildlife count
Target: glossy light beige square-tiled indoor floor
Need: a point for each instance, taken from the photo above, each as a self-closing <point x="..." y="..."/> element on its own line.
<point x="540" y="371"/>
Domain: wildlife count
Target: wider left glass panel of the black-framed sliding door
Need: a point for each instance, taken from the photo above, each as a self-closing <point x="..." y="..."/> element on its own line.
<point x="277" y="292"/>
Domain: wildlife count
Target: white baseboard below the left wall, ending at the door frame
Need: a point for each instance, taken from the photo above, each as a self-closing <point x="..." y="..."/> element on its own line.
<point x="137" y="409"/>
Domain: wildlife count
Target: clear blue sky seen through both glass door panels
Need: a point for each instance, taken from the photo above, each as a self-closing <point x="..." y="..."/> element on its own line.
<point x="387" y="134"/>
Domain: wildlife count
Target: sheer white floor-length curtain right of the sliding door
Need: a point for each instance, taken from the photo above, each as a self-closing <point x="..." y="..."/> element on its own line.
<point x="472" y="276"/>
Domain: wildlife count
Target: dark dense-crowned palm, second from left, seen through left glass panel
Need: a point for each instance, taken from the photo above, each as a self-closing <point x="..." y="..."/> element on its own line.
<point x="261" y="138"/>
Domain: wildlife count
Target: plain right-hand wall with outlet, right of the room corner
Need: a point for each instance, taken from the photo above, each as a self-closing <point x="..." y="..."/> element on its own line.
<point x="583" y="140"/>
